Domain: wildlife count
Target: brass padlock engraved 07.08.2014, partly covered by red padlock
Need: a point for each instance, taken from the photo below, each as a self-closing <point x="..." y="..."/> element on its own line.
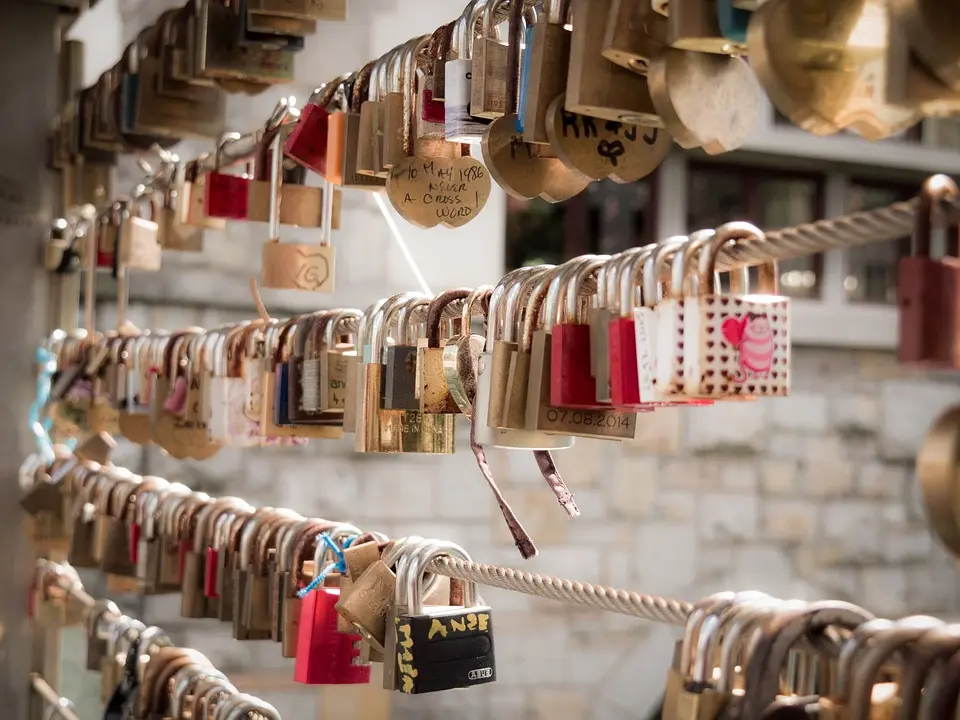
<point x="535" y="348"/>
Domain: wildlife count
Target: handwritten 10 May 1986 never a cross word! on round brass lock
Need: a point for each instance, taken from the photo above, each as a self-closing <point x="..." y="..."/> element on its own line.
<point x="448" y="192"/>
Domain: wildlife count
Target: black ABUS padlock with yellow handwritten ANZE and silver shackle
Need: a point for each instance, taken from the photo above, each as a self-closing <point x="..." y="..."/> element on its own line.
<point x="461" y="635"/>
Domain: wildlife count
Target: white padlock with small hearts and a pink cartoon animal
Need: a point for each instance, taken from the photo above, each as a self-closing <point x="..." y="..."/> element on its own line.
<point x="736" y="345"/>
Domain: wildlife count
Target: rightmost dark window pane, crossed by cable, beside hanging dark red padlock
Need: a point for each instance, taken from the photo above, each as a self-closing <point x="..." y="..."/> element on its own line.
<point x="872" y="269"/>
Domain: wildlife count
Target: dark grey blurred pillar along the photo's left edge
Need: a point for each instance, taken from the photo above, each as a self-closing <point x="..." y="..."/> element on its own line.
<point x="28" y="86"/>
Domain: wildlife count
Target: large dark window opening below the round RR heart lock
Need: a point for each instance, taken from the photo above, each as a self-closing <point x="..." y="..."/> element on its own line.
<point x="606" y="218"/>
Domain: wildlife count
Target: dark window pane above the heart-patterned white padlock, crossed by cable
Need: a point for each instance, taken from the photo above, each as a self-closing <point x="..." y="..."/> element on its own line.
<point x="768" y="198"/>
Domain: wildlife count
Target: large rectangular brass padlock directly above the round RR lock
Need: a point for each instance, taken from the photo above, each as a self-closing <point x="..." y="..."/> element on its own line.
<point x="595" y="86"/>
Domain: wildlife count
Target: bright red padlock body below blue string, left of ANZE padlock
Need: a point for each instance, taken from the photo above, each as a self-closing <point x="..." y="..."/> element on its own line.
<point x="324" y="655"/>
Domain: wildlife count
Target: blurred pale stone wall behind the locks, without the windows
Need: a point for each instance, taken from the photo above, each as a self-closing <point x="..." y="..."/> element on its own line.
<point x="811" y="496"/>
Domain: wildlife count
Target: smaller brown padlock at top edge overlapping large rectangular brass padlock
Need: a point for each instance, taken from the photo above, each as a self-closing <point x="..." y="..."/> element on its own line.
<point x="634" y="34"/>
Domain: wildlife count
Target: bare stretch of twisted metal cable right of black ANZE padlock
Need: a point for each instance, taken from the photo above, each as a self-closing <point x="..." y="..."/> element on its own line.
<point x="646" y="607"/>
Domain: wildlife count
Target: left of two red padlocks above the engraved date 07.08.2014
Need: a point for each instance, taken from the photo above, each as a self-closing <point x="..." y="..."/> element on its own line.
<point x="571" y="383"/>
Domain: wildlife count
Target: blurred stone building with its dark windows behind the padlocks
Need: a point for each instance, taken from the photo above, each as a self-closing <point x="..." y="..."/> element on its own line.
<point x="809" y="496"/>
